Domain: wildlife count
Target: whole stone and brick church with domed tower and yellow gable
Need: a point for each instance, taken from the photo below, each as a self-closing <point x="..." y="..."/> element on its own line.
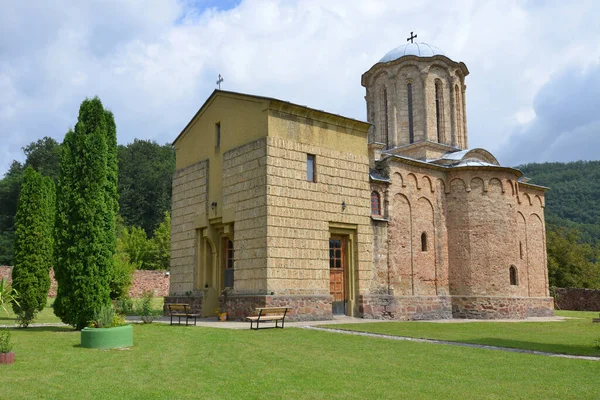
<point x="277" y="204"/>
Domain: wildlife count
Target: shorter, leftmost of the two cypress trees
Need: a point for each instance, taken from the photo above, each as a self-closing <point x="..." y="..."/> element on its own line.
<point x="33" y="245"/>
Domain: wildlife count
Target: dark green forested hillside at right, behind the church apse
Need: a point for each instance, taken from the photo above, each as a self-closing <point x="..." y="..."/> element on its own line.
<point x="573" y="200"/>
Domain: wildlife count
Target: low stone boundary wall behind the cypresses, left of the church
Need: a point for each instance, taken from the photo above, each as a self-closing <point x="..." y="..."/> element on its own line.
<point x="158" y="281"/>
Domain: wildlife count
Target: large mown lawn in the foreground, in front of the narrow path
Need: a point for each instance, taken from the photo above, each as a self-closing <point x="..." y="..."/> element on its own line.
<point x="193" y="362"/>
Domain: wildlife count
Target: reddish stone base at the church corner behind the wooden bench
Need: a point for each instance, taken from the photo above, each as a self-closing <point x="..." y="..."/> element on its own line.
<point x="303" y="308"/>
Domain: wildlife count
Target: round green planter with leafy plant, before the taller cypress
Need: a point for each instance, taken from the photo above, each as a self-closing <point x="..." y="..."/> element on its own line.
<point x="107" y="331"/>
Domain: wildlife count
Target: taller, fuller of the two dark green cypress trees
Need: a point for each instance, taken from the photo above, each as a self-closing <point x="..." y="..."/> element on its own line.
<point x="85" y="221"/>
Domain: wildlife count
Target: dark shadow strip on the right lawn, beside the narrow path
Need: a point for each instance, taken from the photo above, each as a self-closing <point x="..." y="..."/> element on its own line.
<point x="558" y="348"/>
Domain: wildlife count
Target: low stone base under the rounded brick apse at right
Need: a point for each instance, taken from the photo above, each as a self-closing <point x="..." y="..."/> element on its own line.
<point x="474" y="307"/>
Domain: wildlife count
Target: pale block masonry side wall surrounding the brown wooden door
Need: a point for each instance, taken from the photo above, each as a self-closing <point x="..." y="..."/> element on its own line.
<point x="301" y="214"/>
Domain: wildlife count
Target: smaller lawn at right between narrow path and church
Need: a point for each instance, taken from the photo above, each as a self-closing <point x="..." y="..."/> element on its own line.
<point x="574" y="336"/>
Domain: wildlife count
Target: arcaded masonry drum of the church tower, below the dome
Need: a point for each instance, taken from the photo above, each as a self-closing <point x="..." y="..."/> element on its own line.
<point x="387" y="86"/>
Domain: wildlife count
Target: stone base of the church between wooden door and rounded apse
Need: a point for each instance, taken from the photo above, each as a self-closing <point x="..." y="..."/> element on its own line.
<point x="381" y="306"/>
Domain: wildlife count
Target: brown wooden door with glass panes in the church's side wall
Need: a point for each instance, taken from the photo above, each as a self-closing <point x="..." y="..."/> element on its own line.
<point x="338" y="271"/>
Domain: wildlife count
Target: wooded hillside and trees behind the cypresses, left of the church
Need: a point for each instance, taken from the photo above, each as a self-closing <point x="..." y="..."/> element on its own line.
<point x="144" y="192"/>
